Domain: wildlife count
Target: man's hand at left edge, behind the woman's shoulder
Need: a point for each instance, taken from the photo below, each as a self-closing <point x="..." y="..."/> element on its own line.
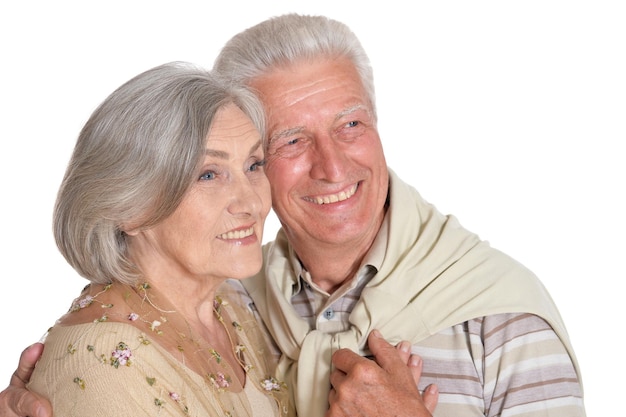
<point x="16" y="400"/>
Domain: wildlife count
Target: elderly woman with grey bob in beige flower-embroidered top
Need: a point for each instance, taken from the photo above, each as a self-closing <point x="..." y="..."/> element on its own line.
<point x="162" y="204"/>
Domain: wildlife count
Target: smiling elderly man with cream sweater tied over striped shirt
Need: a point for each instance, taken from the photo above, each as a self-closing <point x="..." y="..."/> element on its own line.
<point x="360" y="250"/>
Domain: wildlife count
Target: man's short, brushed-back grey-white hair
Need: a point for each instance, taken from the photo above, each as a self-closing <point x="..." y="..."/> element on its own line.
<point x="285" y="39"/>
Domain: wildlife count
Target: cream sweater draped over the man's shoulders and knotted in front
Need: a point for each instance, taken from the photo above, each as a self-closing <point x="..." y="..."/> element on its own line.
<point x="435" y="274"/>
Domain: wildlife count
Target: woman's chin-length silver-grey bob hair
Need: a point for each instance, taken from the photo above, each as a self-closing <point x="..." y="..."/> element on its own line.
<point x="133" y="162"/>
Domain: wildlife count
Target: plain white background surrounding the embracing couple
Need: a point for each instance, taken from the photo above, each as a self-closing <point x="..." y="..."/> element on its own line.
<point x="510" y="115"/>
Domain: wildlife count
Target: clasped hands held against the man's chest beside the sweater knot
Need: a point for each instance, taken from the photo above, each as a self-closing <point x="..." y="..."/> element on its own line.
<point x="384" y="387"/>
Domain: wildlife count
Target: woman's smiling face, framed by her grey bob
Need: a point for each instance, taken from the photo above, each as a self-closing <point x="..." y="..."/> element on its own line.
<point x="216" y="231"/>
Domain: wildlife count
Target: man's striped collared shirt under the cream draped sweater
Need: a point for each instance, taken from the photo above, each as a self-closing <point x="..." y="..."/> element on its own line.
<point x="500" y="365"/>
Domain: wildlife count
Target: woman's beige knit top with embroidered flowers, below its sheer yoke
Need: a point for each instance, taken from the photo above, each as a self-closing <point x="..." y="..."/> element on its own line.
<point x="77" y="375"/>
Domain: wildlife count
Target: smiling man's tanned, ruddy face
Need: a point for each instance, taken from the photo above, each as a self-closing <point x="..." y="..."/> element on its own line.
<point x="326" y="166"/>
